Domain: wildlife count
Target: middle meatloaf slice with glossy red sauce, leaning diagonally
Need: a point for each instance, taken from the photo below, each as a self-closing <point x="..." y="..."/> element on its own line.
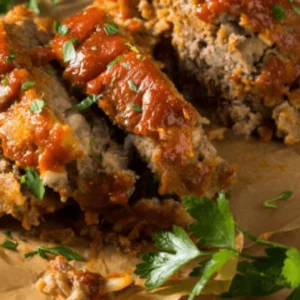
<point x="141" y="100"/>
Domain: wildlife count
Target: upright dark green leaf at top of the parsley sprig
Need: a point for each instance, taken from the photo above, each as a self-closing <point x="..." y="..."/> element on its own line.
<point x="217" y="233"/>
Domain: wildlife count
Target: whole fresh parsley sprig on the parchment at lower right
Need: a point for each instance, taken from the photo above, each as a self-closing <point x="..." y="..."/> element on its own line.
<point x="214" y="227"/>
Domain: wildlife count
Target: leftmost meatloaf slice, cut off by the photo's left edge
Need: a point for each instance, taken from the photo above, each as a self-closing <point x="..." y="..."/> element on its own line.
<point x="38" y="128"/>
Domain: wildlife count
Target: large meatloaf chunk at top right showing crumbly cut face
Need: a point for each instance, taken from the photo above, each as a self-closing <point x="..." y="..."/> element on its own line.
<point x="239" y="50"/>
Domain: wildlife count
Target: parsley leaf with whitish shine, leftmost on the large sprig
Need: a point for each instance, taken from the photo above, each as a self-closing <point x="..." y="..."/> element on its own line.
<point x="158" y="267"/>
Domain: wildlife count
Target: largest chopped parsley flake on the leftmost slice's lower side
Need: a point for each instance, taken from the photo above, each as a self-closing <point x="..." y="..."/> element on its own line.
<point x="34" y="183"/>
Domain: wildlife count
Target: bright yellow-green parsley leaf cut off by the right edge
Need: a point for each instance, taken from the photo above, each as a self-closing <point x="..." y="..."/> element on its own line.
<point x="291" y="268"/>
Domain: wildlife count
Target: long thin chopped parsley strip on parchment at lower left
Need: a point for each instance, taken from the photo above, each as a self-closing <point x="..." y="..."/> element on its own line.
<point x="59" y="250"/>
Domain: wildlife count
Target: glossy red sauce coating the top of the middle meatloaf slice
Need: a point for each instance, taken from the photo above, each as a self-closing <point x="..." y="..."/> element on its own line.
<point x="139" y="98"/>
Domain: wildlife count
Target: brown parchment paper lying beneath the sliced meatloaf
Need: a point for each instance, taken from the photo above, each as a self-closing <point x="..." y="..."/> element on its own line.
<point x="264" y="170"/>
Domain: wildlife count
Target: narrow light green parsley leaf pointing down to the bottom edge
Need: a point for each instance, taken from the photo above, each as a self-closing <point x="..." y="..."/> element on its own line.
<point x="218" y="260"/>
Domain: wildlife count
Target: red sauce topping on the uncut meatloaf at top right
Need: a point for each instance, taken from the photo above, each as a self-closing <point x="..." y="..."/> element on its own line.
<point x="258" y="16"/>
